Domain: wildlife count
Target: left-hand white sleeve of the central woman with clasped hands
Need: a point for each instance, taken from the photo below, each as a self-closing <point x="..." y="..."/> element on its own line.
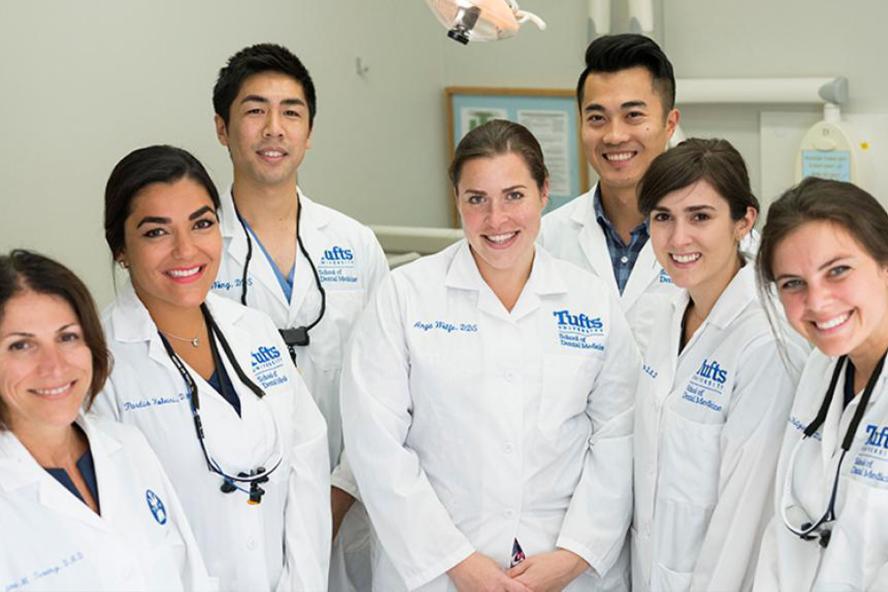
<point x="413" y="526"/>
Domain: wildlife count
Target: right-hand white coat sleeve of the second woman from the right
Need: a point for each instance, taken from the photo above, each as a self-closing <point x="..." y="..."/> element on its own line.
<point x="750" y="446"/>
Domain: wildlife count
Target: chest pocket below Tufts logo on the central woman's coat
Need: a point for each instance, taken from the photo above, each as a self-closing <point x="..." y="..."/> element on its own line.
<point x="568" y="380"/>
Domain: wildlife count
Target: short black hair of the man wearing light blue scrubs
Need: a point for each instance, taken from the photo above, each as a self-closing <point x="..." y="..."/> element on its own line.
<point x="263" y="57"/>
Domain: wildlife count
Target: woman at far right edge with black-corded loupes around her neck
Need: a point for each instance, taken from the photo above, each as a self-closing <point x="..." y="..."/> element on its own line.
<point x="824" y="251"/>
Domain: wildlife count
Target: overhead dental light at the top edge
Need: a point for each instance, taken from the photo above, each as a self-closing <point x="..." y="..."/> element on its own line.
<point x="481" y="20"/>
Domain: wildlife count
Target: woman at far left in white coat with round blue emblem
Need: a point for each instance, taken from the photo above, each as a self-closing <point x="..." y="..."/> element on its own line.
<point x="84" y="503"/>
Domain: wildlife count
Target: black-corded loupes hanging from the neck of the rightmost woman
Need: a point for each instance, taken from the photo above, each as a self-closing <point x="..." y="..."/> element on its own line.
<point x="821" y="529"/>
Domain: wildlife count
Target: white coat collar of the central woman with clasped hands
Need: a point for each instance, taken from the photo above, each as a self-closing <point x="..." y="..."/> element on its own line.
<point x="463" y="274"/>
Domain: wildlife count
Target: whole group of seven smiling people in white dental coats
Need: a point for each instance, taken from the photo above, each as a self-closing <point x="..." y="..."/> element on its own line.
<point x="607" y="398"/>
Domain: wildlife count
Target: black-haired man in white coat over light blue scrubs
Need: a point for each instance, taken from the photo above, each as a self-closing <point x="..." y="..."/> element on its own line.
<point x="309" y="267"/>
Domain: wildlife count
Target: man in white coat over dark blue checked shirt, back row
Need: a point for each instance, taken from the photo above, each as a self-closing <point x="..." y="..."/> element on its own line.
<point x="626" y="96"/>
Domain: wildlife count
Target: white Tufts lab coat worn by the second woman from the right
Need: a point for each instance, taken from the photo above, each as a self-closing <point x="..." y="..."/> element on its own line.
<point x="708" y="423"/>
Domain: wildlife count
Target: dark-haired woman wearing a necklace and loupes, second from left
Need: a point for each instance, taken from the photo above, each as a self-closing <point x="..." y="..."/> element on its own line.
<point x="210" y="383"/>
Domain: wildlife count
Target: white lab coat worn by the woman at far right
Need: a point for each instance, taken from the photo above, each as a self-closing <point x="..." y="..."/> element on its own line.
<point x="857" y="555"/>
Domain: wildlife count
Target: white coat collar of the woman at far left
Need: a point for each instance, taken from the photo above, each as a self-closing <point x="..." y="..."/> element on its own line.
<point x="20" y="470"/>
